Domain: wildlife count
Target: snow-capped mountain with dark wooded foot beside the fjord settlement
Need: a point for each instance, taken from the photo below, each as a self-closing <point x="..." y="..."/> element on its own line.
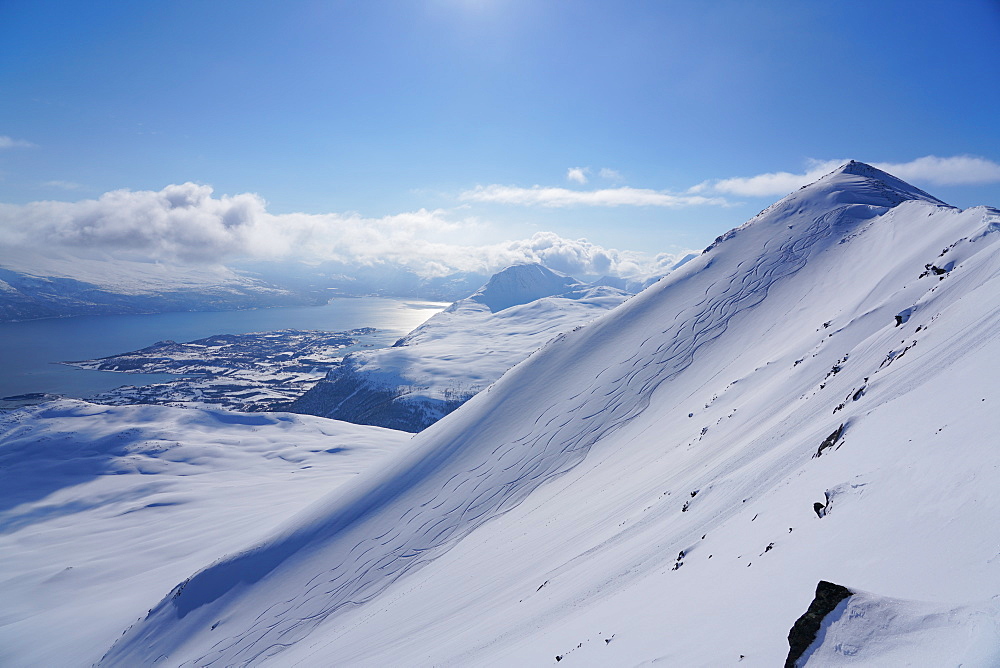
<point x="458" y="352"/>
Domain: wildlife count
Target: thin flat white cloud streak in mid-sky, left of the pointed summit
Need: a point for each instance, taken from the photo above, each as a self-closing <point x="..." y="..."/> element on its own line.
<point x="563" y="197"/>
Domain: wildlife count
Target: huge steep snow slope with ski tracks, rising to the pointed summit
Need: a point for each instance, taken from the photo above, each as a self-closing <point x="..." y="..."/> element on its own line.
<point x="641" y="491"/>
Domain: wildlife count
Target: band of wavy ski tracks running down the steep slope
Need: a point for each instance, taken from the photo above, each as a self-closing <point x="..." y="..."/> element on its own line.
<point x="558" y="441"/>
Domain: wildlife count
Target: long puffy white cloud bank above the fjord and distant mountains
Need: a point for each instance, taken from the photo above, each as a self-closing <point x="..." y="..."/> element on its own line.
<point x="189" y="224"/>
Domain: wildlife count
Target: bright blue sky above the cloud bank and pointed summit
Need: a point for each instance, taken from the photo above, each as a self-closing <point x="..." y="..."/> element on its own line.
<point x="617" y="111"/>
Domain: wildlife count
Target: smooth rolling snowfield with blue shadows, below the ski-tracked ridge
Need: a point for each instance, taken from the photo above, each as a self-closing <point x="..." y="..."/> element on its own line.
<point x="102" y="509"/>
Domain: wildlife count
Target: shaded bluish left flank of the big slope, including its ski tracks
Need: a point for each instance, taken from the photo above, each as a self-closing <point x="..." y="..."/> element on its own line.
<point x="480" y="462"/>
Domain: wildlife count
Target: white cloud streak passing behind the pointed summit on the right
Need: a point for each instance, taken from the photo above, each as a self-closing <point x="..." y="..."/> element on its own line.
<point x="930" y="169"/>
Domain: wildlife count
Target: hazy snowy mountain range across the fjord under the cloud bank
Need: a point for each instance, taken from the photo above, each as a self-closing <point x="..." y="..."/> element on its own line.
<point x="34" y="286"/>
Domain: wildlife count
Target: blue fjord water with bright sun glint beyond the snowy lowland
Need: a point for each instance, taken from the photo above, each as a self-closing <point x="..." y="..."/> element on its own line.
<point x="30" y="350"/>
